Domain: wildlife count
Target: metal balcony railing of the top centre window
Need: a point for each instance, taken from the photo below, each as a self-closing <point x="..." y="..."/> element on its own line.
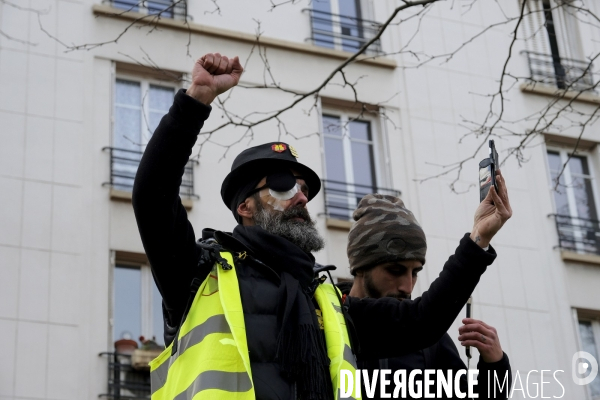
<point x="342" y="32"/>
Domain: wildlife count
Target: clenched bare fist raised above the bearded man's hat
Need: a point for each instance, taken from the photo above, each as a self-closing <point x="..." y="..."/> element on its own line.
<point x="212" y="75"/>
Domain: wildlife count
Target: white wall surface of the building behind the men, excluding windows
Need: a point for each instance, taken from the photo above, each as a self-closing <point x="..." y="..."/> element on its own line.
<point x="58" y="224"/>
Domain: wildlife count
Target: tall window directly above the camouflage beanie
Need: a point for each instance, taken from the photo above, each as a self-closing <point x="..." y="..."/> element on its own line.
<point x="350" y="164"/>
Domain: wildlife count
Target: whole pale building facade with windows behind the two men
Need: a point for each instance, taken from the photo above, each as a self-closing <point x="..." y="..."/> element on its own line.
<point x="83" y="84"/>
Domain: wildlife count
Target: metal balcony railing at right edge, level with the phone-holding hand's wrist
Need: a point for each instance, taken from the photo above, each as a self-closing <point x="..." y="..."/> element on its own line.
<point x="578" y="234"/>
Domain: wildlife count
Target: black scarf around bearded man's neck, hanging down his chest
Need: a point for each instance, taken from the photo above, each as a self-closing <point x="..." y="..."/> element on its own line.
<point x="301" y="350"/>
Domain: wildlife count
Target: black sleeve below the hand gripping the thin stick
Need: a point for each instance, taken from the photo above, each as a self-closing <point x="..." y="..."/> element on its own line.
<point x="495" y="376"/>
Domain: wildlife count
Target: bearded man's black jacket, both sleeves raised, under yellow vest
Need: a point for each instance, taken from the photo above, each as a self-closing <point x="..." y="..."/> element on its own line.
<point x="170" y="243"/>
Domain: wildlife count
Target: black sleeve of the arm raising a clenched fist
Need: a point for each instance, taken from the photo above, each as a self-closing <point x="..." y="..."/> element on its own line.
<point x="167" y="235"/>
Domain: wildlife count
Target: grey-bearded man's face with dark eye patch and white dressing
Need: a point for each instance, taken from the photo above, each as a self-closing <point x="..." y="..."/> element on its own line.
<point x="287" y="218"/>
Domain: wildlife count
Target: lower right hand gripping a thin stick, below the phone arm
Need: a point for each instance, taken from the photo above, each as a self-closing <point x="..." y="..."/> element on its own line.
<point x="483" y="337"/>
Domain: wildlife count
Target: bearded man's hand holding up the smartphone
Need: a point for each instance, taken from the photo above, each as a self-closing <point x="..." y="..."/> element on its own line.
<point x="492" y="213"/>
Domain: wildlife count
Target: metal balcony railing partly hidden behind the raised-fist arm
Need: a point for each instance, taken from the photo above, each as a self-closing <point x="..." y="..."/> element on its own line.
<point x="124" y="164"/>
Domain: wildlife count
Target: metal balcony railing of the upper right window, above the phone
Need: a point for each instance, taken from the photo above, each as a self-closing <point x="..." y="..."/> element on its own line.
<point x="564" y="73"/>
